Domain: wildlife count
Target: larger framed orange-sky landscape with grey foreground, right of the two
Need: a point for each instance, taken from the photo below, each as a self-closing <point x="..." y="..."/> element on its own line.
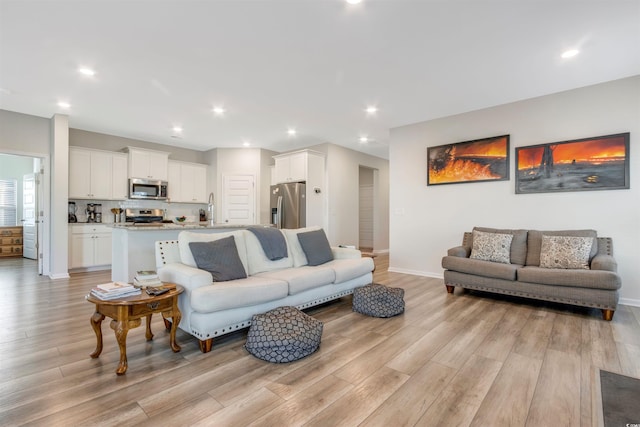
<point x="598" y="163"/>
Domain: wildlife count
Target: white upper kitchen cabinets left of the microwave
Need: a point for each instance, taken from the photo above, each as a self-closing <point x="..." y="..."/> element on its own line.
<point x="96" y="174"/>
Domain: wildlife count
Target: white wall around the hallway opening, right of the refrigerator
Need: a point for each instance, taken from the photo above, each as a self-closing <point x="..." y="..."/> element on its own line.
<point x="343" y="180"/>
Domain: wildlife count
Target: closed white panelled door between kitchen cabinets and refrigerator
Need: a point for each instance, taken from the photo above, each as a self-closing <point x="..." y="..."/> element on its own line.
<point x="238" y="199"/>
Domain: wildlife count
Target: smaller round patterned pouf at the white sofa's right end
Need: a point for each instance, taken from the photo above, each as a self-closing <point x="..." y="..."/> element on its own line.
<point x="378" y="300"/>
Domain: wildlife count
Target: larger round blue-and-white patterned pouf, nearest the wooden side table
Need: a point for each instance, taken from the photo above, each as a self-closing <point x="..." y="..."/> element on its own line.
<point x="283" y="335"/>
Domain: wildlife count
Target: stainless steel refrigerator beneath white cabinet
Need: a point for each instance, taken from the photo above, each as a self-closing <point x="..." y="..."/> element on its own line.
<point x="288" y="205"/>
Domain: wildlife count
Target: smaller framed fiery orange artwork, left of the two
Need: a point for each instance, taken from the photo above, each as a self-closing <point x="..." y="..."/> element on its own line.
<point x="479" y="160"/>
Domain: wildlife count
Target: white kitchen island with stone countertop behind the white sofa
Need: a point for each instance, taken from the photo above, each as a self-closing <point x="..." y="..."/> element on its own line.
<point x="133" y="245"/>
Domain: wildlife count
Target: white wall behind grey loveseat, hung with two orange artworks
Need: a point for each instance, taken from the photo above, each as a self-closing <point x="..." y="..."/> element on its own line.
<point x="426" y="221"/>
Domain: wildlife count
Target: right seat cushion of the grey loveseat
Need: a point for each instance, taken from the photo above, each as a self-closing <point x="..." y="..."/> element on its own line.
<point x="596" y="279"/>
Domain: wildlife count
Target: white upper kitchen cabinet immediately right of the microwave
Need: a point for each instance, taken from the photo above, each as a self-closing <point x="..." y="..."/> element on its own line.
<point x="187" y="182"/>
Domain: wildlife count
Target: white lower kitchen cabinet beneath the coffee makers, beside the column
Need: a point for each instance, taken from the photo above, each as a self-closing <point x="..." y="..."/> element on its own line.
<point x="89" y="245"/>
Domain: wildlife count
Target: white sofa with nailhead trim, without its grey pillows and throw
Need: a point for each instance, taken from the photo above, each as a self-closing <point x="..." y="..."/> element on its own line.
<point x="210" y="309"/>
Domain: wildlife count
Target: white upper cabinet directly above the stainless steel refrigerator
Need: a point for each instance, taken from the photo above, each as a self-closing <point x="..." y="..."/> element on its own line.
<point x="298" y="166"/>
